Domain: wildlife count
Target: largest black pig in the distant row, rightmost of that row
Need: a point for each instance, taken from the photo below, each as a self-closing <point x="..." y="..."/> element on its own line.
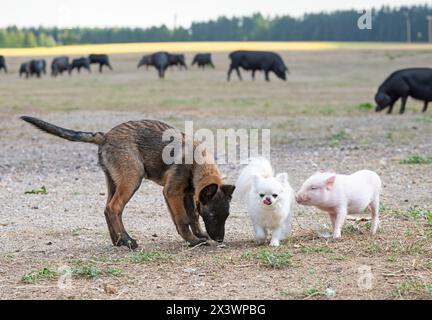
<point x="257" y="60"/>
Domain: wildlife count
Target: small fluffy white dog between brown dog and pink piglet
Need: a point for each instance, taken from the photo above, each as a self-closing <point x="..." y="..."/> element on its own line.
<point x="269" y="199"/>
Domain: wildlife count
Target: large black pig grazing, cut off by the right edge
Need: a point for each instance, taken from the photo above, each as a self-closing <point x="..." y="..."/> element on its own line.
<point x="412" y="82"/>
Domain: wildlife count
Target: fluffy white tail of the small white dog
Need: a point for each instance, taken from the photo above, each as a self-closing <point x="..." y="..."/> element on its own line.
<point x="257" y="166"/>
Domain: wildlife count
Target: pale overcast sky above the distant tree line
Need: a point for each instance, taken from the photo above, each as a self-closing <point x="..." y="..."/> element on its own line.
<point x="144" y="13"/>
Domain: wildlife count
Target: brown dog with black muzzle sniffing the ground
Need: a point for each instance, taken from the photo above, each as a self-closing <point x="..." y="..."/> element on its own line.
<point x="132" y="151"/>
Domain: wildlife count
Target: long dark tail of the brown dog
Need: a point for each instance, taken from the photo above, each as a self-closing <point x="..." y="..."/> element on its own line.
<point x="90" y="137"/>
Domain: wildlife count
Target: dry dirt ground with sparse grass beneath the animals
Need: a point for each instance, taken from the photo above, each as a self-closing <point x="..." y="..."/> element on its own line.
<point x="318" y="120"/>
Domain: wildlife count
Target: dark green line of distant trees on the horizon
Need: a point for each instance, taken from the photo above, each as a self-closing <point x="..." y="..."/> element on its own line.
<point x="388" y="24"/>
